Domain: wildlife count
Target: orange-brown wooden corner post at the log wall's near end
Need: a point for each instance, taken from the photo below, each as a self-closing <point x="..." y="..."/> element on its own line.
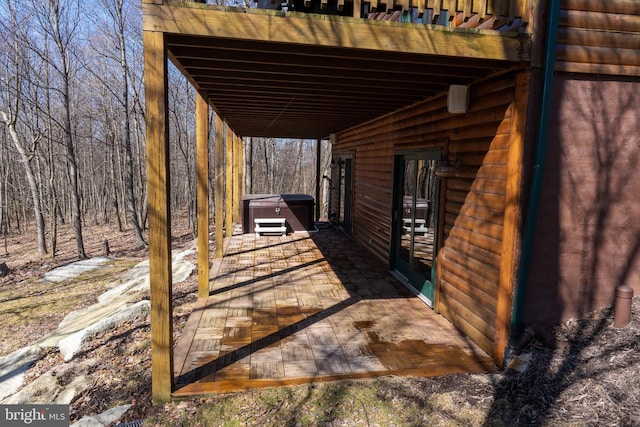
<point x="512" y="216"/>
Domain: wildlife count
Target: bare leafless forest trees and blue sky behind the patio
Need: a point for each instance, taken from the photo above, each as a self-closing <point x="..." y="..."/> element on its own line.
<point x="72" y="126"/>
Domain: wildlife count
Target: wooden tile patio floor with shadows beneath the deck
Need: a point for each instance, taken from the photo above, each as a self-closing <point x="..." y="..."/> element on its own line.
<point x="311" y="307"/>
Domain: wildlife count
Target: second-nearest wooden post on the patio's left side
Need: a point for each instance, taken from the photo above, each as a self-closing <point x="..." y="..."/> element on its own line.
<point x="202" y="171"/>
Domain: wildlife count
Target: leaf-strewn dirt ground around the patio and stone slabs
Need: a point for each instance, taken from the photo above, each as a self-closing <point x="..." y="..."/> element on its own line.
<point x="591" y="379"/>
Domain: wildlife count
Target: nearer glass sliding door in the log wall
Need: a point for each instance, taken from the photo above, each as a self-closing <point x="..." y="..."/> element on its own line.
<point x="415" y="220"/>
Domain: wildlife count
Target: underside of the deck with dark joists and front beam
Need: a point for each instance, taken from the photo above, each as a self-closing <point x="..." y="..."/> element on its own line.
<point x="307" y="76"/>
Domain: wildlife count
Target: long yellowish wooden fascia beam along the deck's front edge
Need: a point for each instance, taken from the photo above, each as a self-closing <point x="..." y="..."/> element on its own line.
<point x="335" y="31"/>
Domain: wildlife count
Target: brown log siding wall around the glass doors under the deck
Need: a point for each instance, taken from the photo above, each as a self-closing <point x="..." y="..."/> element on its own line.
<point x="472" y="202"/>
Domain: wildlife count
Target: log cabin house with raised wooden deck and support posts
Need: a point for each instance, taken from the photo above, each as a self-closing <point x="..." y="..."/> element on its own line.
<point x="486" y="150"/>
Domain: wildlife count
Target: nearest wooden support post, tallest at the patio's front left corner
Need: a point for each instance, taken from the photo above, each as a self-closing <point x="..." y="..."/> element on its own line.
<point x="155" y="73"/>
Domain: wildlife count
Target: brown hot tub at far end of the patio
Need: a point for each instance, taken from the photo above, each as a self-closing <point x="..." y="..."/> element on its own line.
<point x="297" y="209"/>
